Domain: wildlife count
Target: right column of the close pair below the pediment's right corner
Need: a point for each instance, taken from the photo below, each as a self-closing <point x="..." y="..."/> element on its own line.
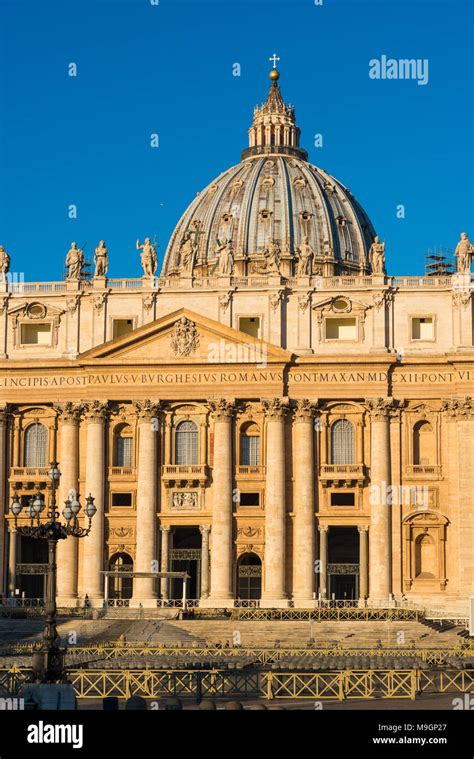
<point x="303" y="505"/>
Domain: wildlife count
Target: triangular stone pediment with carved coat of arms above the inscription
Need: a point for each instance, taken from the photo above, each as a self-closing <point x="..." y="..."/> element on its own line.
<point x="186" y="337"/>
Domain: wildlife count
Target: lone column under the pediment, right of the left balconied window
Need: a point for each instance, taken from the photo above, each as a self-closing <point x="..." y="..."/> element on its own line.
<point x="221" y="555"/>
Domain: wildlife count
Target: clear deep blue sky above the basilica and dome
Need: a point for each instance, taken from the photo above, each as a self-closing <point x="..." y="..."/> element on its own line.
<point x="168" y="69"/>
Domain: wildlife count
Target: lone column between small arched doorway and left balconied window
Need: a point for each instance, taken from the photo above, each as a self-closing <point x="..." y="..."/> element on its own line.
<point x="144" y="592"/>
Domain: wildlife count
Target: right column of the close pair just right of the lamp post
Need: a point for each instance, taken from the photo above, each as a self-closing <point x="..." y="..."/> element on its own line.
<point x="95" y="413"/>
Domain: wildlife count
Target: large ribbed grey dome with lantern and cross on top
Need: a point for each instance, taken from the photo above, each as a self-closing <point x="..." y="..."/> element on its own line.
<point x="274" y="212"/>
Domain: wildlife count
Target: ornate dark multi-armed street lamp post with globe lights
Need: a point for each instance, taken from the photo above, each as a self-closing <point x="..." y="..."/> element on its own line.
<point x="48" y="661"/>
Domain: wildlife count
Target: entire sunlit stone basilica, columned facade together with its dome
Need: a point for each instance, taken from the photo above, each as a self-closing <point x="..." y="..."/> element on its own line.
<point x="271" y="413"/>
